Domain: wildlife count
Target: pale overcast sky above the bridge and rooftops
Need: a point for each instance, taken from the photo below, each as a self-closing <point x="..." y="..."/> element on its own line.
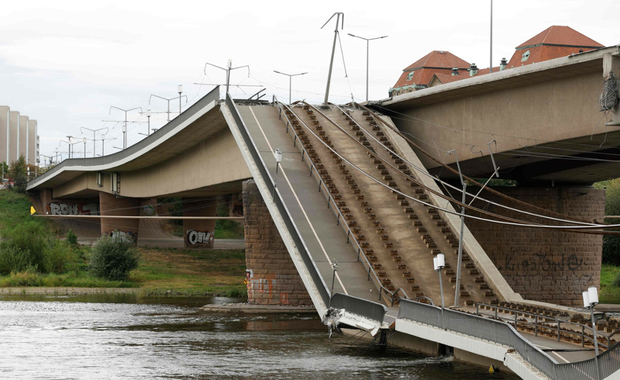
<point x="66" y="63"/>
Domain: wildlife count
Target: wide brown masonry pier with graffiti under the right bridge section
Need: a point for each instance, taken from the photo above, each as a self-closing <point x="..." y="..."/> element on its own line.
<point x="545" y="265"/>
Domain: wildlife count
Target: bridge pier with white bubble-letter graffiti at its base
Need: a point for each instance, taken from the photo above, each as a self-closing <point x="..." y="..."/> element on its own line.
<point x="199" y="233"/>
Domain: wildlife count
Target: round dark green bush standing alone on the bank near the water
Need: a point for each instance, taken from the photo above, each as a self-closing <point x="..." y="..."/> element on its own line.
<point x="113" y="259"/>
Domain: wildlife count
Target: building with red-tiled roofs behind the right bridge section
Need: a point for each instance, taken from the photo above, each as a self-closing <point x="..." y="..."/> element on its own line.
<point x="440" y="67"/>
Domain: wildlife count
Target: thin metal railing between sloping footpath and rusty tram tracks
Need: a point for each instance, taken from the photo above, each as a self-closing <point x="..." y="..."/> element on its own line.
<point x="372" y="275"/>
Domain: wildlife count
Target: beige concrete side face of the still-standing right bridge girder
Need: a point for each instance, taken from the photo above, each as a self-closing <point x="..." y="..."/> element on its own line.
<point x="516" y="117"/>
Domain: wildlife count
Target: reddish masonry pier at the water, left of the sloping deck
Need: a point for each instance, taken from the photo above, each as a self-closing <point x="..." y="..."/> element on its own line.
<point x="274" y="279"/>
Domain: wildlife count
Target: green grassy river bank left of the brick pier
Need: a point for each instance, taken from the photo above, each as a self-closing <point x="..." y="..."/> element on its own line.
<point x="160" y="271"/>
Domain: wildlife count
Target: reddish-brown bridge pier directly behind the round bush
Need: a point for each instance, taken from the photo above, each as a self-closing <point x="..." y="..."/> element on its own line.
<point x="110" y="204"/>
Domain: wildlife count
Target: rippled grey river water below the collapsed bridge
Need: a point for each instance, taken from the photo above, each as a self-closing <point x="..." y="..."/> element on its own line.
<point x="118" y="337"/>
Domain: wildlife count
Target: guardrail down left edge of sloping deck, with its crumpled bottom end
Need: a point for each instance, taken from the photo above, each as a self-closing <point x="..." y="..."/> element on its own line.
<point x="364" y="308"/>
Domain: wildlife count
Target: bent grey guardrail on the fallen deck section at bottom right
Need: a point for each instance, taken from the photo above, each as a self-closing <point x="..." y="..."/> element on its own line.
<point x="504" y="334"/>
